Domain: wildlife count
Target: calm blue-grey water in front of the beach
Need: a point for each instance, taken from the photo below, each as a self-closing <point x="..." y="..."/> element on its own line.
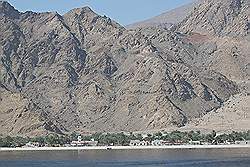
<point x="123" y="158"/>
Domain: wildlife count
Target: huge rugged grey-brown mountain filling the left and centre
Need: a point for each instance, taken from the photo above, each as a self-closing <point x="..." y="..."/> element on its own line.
<point x="85" y="72"/>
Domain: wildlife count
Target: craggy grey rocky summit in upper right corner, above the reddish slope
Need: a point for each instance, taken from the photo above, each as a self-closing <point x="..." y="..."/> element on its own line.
<point x="222" y="18"/>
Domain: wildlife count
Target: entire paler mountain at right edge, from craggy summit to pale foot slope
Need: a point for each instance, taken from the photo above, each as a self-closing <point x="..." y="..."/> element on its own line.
<point x="221" y="29"/>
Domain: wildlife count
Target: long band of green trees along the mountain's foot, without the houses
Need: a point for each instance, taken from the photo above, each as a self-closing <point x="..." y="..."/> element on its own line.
<point x="124" y="139"/>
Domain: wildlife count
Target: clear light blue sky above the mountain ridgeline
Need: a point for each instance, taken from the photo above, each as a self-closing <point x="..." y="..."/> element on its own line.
<point x="123" y="11"/>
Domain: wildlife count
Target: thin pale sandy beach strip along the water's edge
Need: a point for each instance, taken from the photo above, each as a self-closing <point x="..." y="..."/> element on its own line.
<point x="124" y="148"/>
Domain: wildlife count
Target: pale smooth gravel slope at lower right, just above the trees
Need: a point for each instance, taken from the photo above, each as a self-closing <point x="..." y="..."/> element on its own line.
<point x="234" y="115"/>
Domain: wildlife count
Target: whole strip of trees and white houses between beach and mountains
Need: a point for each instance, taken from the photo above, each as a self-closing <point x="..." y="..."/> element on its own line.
<point x="174" y="138"/>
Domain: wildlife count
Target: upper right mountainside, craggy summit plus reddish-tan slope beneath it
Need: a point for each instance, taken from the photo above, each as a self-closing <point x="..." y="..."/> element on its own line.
<point x="220" y="32"/>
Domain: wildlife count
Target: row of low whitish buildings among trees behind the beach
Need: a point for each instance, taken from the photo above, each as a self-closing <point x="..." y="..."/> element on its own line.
<point x="140" y="140"/>
